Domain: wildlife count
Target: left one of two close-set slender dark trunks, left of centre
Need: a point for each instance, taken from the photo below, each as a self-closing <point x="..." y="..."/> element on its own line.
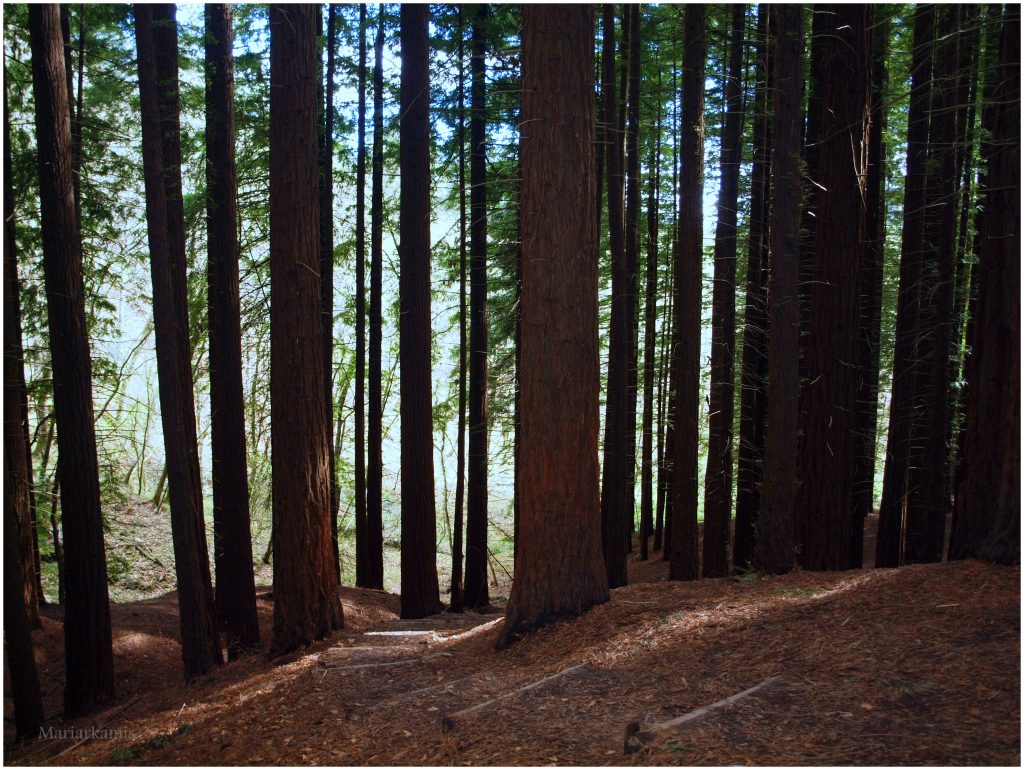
<point x="361" y="300"/>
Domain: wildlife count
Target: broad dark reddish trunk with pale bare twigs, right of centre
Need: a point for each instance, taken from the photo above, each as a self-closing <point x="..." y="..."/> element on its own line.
<point x="825" y="502"/>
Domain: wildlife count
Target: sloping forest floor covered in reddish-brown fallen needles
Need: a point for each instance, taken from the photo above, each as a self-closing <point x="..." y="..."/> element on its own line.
<point x="876" y="667"/>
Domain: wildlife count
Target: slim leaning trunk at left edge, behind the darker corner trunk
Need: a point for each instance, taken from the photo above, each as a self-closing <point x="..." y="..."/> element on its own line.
<point x="18" y="480"/>
